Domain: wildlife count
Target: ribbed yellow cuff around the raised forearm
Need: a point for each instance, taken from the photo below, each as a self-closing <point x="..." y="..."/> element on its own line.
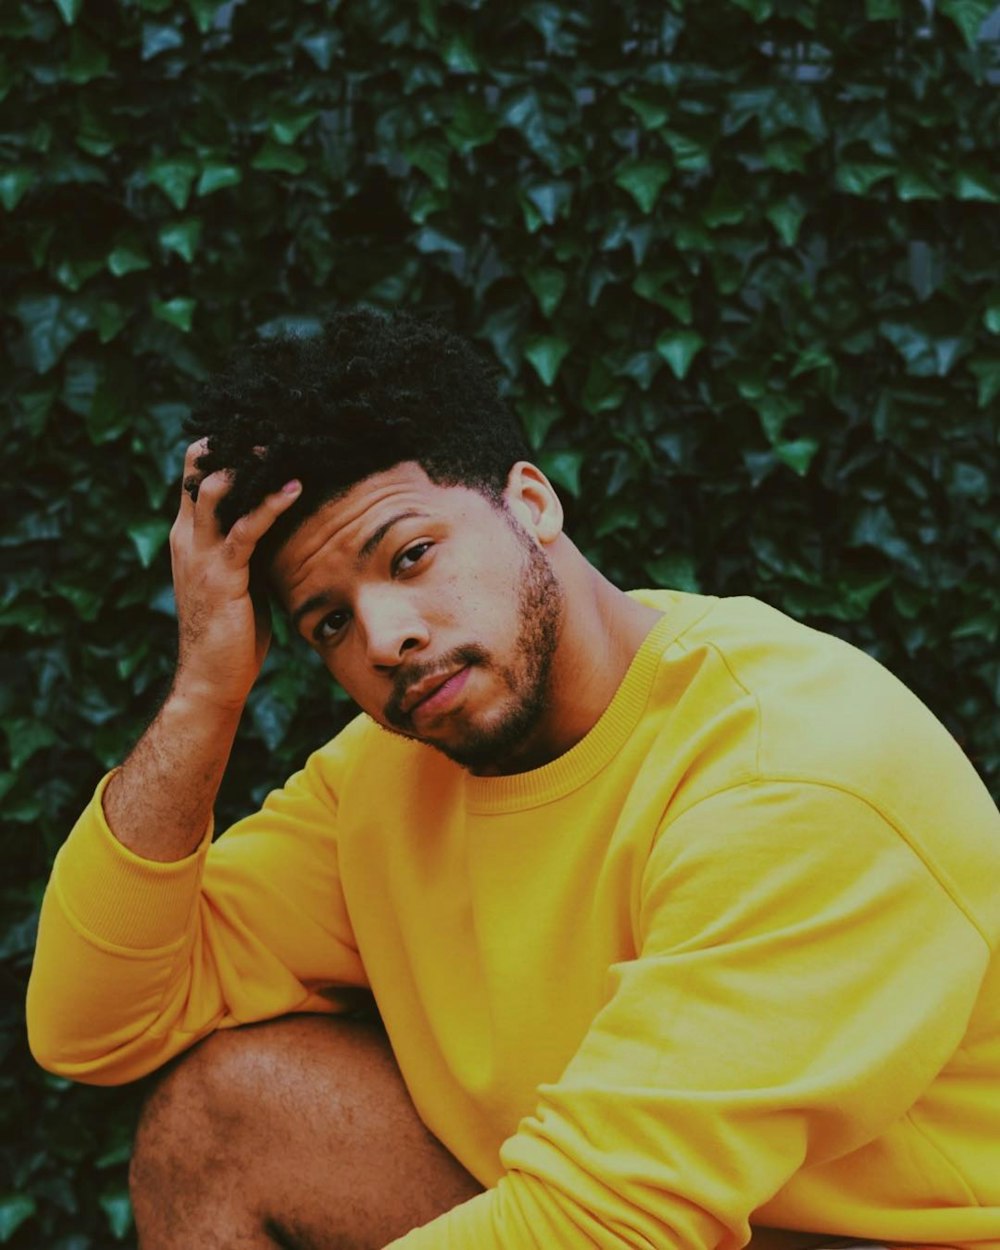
<point x="114" y="897"/>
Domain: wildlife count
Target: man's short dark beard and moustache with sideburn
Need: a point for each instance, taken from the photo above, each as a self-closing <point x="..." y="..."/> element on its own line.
<point x="502" y="742"/>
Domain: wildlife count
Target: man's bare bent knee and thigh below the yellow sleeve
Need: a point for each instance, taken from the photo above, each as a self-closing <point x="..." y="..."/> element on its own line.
<point x="298" y="1133"/>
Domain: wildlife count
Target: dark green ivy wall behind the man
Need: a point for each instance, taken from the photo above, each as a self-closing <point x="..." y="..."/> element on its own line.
<point x="737" y="261"/>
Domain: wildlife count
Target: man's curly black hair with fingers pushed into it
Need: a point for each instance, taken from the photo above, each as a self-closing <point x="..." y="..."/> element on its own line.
<point x="371" y="392"/>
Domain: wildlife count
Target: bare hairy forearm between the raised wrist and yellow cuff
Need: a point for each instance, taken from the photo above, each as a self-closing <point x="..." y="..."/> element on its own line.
<point x="161" y="802"/>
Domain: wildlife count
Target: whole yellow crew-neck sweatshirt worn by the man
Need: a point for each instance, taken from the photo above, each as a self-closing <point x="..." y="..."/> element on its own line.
<point x="732" y="958"/>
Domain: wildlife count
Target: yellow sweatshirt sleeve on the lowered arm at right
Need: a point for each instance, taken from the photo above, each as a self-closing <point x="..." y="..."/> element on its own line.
<point x="801" y="979"/>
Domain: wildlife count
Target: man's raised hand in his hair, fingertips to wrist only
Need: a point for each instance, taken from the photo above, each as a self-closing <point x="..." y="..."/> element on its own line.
<point x="224" y="634"/>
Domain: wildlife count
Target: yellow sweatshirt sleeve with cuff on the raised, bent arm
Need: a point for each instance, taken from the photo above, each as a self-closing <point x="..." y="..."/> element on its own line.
<point x="137" y="961"/>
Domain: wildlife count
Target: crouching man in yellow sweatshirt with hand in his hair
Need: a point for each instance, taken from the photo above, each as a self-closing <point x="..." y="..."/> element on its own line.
<point x="681" y="918"/>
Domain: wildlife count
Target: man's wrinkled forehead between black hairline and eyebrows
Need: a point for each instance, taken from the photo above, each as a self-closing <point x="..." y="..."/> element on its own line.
<point x="343" y="527"/>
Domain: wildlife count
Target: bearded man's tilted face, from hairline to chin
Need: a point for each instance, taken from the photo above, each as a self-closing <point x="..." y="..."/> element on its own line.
<point x="434" y="609"/>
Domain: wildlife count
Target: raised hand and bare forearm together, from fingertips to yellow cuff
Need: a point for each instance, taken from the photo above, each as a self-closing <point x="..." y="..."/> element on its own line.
<point x="159" y="803"/>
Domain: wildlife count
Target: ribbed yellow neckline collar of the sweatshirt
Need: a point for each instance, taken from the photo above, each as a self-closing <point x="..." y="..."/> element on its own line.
<point x="617" y="723"/>
